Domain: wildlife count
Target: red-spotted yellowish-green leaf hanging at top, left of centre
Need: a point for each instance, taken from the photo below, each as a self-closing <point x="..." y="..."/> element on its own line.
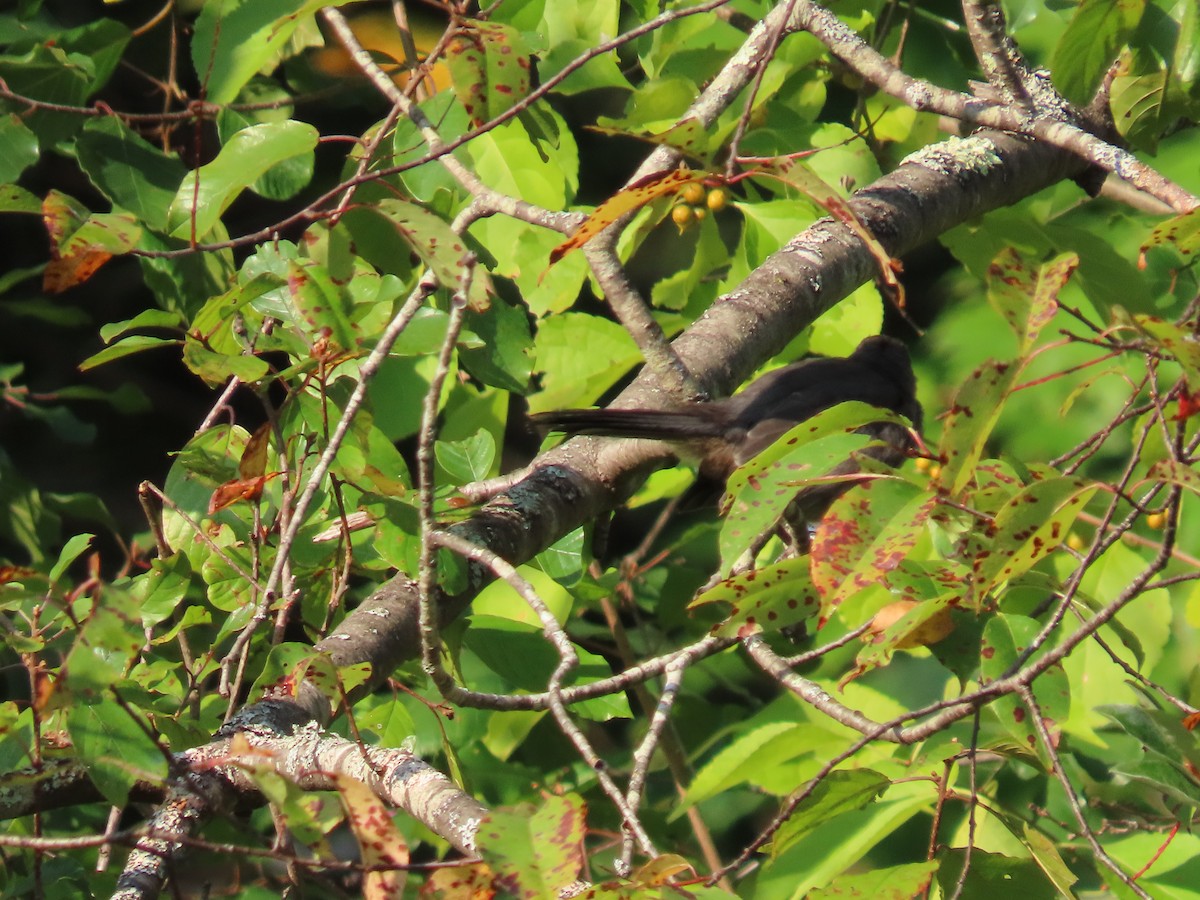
<point x="489" y="65"/>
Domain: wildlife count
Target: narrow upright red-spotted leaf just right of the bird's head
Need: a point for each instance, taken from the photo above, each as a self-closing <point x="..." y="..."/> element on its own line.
<point x="970" y="421"/>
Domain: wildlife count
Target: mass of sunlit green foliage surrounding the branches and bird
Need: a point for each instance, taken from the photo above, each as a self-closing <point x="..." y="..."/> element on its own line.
<point x="211" y="188"/>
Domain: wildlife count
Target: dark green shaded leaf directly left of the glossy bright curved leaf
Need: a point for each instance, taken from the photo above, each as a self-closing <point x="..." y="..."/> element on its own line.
<point x="129" y="171"/>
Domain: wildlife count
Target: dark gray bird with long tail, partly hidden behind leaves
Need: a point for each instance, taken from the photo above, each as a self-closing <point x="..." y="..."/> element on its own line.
<point x="727" y="434"/>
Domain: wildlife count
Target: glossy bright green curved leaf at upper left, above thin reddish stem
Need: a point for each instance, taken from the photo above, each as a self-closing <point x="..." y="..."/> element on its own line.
<point x="207" y="193"/>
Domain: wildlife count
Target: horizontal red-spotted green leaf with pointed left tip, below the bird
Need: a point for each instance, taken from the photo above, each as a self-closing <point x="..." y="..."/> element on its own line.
<point x="771" y="598"/>
